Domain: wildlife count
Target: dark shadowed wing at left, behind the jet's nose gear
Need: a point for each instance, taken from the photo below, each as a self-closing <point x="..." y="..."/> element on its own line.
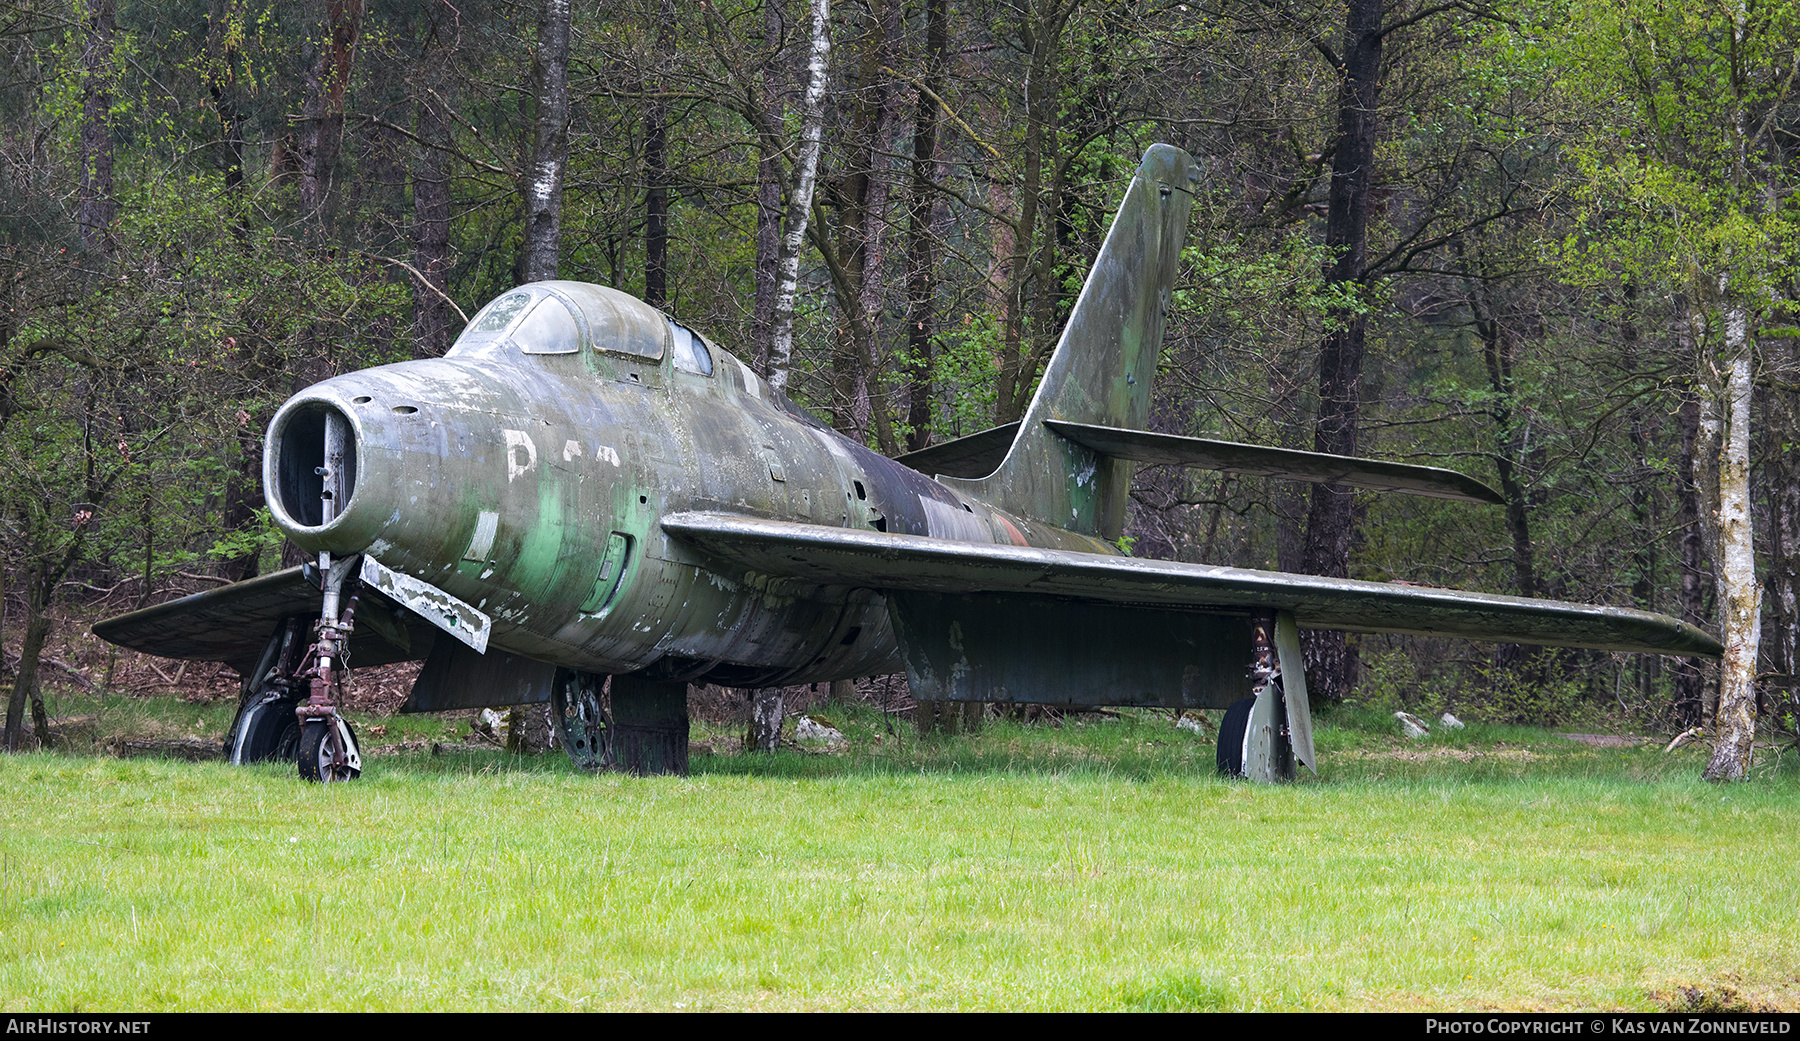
<point x="231" y="624"/>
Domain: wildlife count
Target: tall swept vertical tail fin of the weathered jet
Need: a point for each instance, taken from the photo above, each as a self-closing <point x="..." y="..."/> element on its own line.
<point x="1104" y="363"/>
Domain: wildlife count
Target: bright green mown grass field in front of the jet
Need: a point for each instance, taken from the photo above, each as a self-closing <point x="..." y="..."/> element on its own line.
<point x="1097" y="865"/>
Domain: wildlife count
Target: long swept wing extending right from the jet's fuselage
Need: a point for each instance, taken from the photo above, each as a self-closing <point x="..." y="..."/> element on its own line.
<point x="915" y="565"/>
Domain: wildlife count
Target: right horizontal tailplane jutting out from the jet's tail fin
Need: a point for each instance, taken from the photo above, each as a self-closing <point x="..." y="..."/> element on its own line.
<point x="1290" y="464"/>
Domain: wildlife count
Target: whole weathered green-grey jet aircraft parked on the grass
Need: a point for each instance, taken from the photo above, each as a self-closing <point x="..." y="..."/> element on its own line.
<point x="586" y="489"/>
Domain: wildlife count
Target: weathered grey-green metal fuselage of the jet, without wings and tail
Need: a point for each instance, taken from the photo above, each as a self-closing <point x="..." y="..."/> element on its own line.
<point x="508" y="478"/>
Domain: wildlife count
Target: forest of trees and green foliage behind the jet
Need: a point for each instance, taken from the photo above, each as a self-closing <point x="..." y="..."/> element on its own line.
<point x="1545" y="242"/>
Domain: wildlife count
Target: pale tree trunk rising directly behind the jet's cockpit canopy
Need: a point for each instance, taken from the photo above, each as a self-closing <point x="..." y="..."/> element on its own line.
<point x="550" y="152"/>
